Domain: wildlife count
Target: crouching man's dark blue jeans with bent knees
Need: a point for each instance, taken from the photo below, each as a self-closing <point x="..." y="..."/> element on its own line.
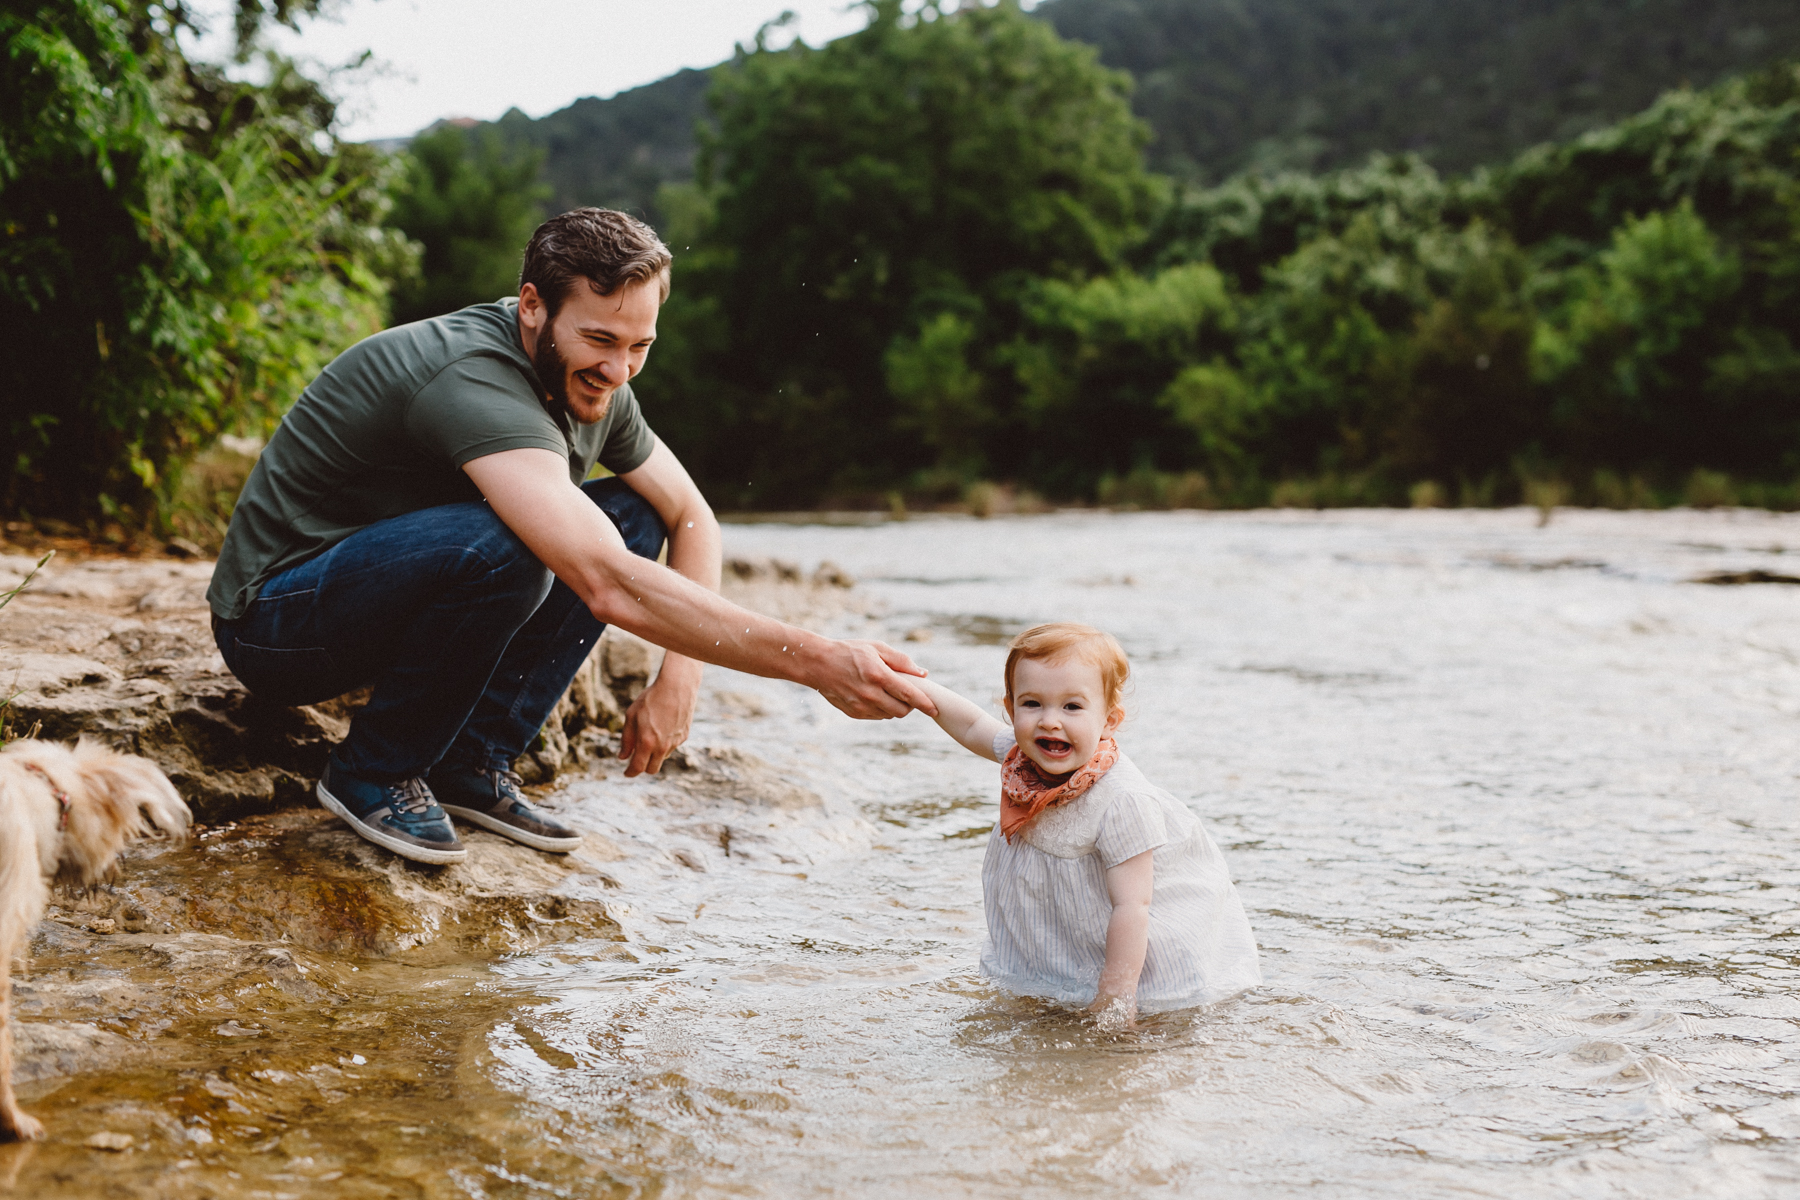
<point x="465" y="636"/>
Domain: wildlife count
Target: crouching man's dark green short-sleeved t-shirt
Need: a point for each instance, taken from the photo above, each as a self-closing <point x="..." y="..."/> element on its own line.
<point x="386" y="431"/>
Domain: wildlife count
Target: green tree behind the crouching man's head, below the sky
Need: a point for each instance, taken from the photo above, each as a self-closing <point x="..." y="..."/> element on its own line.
<point x="472" y="206"/>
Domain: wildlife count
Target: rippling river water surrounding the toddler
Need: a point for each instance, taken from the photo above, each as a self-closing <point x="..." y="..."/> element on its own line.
<point x="1511" y="810"/>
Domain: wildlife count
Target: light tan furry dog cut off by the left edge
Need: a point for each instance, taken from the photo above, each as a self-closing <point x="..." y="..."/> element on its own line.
<point x="64" y="819"/>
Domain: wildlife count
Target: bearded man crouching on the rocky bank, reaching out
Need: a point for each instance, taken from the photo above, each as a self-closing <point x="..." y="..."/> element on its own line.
<point x="420" y="523"/>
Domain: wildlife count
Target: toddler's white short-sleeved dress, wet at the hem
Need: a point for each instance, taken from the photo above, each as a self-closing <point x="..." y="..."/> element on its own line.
<point x="1048" y="908"/>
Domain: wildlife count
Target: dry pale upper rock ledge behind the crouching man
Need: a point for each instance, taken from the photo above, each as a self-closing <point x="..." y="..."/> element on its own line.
<point x="121" y="650"/>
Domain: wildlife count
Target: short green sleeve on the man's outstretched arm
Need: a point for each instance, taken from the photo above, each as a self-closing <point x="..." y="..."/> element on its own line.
<point x="476" y="407"/>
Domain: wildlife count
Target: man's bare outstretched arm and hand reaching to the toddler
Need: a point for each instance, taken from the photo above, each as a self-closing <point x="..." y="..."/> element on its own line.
<point x="530" y="490"/>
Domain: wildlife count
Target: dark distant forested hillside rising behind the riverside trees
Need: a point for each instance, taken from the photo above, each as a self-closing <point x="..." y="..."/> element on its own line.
<point x="1228" y="87"/>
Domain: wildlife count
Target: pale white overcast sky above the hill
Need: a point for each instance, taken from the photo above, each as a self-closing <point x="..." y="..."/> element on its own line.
<point x="478" y="58"/>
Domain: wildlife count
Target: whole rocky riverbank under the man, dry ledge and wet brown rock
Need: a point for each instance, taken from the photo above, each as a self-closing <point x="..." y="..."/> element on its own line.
<point x="274" y="935"/>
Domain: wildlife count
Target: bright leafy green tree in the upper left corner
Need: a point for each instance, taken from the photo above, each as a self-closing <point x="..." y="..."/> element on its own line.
<point x="183" y="253"/>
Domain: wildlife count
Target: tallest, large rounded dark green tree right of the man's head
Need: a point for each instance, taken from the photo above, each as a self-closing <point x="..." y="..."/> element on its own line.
<point x="881" y="206"/>
